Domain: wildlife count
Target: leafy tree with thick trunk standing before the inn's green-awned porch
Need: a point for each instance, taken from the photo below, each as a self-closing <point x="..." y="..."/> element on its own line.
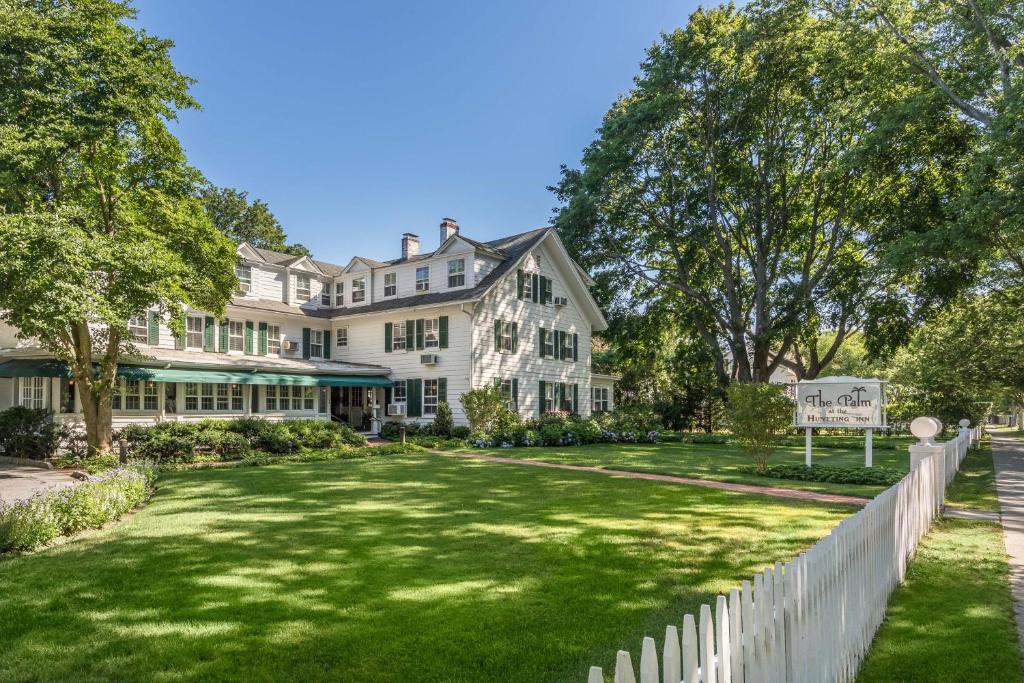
<point x="101" y="215"/>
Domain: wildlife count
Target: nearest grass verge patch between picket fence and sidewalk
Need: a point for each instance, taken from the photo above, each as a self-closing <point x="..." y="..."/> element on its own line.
<point x="954" y="620"/>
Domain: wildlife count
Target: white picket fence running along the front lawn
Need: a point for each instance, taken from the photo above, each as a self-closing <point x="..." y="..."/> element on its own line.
<point x="814" y="619"/>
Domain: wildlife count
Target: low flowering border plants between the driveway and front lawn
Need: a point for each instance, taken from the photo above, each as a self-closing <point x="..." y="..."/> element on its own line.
<point x="28" y="525"/>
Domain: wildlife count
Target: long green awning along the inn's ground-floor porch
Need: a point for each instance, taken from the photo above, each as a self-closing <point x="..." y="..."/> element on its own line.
<point x="45" y="368"/>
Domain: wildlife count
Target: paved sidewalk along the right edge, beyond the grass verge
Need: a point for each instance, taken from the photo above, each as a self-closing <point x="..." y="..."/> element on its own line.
<point x="1008" y="455"/>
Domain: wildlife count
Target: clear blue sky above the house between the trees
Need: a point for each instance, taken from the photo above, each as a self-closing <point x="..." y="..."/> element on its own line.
<point x="359" y="122"/>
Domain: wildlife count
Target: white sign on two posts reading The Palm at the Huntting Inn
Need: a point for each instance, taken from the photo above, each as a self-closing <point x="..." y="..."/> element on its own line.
<point x="841" y="402"/>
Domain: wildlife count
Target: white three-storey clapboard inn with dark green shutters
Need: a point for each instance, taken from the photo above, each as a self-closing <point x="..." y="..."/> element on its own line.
<point x="361" y="344"/>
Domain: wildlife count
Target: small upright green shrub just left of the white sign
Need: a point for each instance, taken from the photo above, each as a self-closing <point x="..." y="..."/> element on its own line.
<point x="759" y="414"/>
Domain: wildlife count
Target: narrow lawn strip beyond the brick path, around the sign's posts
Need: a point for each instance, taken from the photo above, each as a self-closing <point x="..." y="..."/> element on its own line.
<point x="710" y="461"/>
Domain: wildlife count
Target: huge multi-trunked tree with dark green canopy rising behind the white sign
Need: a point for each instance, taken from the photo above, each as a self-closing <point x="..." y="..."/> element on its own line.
<point x="740" y="179"/>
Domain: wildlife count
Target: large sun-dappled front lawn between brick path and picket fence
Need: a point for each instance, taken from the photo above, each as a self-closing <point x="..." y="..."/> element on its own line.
<point x="406" y="569"/>
